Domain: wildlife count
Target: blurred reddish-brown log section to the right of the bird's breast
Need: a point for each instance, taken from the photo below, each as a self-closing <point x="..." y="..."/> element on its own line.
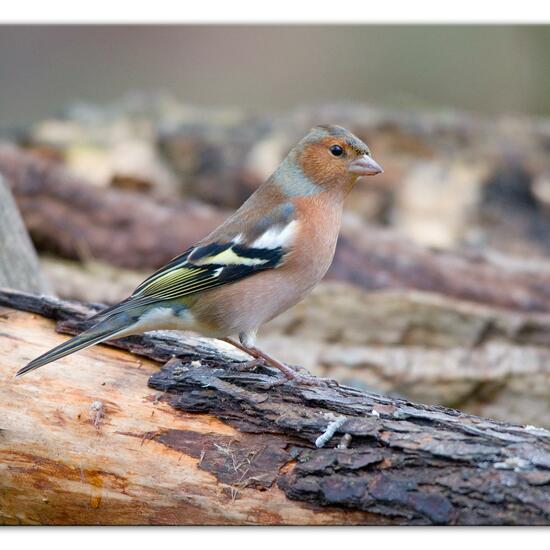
<point x="376" y="258"/>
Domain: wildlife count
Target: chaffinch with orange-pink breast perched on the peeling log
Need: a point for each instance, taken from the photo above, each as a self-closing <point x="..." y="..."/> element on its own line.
<point x="261" y="261"/>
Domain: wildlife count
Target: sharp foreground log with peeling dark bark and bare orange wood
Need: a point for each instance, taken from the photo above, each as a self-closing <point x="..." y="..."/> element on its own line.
<point x="85" y="441"/>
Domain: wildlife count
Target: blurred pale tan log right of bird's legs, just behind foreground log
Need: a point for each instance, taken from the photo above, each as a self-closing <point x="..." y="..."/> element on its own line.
<point x="431" y="348"/>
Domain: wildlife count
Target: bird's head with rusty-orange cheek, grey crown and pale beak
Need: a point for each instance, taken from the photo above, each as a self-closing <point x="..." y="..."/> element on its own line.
<point x="333" y="156"/>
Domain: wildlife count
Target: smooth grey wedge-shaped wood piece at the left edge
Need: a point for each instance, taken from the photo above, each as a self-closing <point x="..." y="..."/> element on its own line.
<point x="19" y="267"/>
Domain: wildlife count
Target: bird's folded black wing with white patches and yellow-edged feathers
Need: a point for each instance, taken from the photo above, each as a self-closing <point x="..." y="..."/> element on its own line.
<point x="217" y="262"/>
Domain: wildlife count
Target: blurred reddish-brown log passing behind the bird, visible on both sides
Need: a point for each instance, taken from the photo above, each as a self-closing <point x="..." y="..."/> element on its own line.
<point x="75" y="220"/>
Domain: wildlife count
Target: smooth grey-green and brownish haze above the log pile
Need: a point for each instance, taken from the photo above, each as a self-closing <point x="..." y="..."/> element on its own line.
<point x="490" y="69"/>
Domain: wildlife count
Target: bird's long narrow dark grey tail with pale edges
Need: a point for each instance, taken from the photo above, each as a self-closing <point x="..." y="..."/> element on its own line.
<point x="112" y="327"/>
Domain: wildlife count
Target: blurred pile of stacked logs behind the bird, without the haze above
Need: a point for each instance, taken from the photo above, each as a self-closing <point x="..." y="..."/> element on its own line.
<point x="111" y="194"/>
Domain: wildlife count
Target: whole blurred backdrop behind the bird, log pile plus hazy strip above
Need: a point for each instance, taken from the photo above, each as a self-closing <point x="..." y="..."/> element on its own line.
<point x="123" y="145"/>
